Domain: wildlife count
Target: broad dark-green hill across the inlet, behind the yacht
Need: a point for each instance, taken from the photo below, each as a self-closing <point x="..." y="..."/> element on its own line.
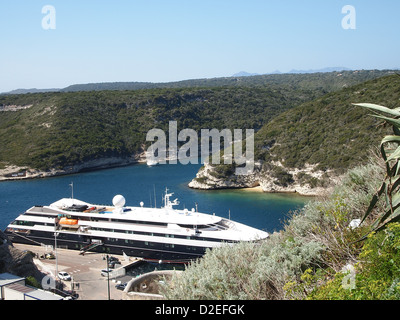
<point x="73" y="131"/>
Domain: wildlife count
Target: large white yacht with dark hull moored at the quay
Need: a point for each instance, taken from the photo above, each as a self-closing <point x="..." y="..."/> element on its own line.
<point x="166" y="233"/>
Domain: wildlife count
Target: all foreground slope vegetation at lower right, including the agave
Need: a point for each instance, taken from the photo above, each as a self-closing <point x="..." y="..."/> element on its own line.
<point x="343" y="246"/>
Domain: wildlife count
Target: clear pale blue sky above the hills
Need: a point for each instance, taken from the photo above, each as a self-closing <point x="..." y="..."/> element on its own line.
<point x="170" y="40"/>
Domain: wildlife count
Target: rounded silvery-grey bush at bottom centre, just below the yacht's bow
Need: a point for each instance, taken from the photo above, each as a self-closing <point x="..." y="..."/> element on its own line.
<point x="244" y="271"/>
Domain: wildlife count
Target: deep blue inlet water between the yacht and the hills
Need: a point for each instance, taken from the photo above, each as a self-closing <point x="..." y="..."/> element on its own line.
<point x="139" y="183"/>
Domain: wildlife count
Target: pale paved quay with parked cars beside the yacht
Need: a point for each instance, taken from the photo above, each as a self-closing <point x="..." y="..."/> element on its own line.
<point x="85" y="271"/>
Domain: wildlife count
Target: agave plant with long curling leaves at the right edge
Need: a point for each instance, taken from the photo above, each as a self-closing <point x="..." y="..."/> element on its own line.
<point x="390" y="151"/>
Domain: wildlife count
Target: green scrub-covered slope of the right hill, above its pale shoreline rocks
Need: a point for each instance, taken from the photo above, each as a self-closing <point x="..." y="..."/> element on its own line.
<point x="329" y="131"/>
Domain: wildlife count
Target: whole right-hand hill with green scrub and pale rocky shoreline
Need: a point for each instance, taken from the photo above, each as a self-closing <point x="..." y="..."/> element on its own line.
<point x="305" y="147"/>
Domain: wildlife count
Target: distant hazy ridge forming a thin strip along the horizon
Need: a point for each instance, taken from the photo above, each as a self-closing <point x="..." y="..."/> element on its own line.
<point x="328" y="78"/>
